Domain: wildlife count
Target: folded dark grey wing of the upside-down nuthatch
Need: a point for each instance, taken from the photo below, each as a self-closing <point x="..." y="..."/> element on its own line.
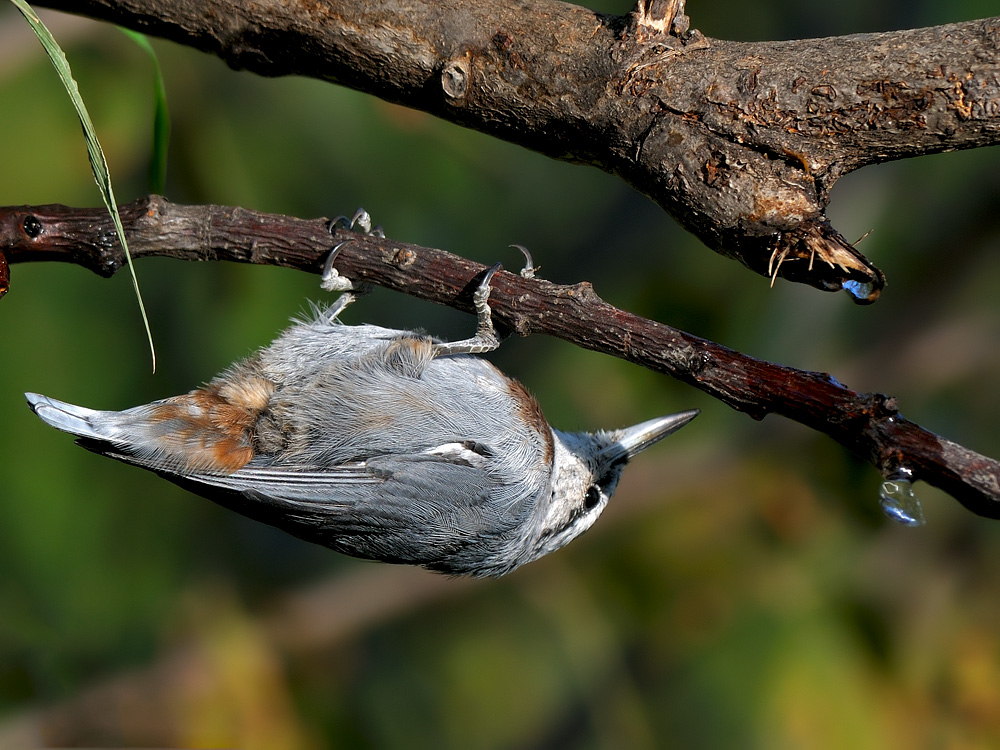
<point x="421" y="509"/>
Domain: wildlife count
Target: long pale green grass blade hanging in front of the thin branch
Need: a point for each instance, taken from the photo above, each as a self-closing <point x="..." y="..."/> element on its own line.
<point x="95" y="153"/>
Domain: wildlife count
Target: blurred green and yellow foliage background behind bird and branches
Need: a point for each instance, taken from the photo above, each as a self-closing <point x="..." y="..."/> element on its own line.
<point x="743" y="589"/>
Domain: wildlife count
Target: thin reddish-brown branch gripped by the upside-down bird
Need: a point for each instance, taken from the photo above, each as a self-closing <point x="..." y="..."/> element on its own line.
<point x="869" y="424"/>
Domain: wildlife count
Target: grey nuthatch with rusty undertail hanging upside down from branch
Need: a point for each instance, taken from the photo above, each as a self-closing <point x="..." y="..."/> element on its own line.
<point x="381" y="444"/>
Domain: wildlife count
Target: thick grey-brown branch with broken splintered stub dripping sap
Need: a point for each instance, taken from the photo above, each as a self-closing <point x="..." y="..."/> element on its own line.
<point x="739" y="142"/>
